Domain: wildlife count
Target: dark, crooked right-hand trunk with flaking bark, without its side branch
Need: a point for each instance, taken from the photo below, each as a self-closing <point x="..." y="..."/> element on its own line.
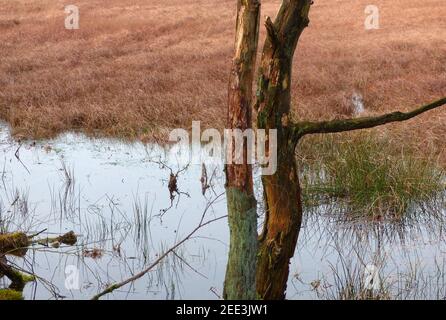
<point x="282" y="190"/>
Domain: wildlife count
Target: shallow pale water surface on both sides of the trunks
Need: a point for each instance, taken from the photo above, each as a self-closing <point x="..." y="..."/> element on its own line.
<point x="113" y="195"/>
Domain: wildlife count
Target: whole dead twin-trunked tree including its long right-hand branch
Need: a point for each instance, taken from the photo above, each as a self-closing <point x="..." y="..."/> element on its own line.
<point x="282" y="194"/>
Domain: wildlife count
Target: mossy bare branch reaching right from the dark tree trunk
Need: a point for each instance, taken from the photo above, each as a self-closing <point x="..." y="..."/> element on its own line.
<point x="303" y="128"/>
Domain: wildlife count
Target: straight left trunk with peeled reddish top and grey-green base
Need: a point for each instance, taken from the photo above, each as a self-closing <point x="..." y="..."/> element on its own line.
<point x="242" y="215"/>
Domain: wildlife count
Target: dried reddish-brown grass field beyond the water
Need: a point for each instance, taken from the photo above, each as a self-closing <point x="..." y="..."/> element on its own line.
<point x="136" y="69"/>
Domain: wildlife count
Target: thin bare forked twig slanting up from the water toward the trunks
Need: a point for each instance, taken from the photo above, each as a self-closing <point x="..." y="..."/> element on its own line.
<point x="202" y="224"/>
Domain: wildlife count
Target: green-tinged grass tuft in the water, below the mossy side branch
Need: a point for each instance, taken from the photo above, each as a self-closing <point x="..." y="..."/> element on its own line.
<point x="370" y="175"/>
